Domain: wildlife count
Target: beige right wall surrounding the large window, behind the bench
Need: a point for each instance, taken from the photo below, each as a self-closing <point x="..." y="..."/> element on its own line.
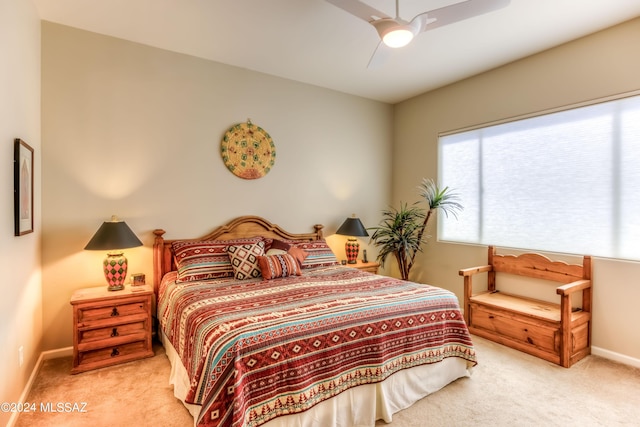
<point x="600" y="65"/>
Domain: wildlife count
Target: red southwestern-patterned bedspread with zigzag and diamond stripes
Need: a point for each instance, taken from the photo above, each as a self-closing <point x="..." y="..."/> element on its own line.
<point x="258" y="349"/>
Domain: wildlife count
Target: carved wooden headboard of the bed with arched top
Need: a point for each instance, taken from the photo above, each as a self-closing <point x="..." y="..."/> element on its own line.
<point x="242" y="227"/>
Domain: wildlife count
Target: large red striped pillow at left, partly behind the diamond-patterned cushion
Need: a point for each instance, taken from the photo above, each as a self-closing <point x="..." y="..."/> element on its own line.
<point x="205" y="259"/>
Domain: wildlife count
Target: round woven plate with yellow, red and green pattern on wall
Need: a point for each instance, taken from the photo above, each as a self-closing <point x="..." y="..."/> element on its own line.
<point x="248" y="151"/>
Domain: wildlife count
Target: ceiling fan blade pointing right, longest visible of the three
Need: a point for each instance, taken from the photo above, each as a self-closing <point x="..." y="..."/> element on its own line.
<point x="456" y="12"/>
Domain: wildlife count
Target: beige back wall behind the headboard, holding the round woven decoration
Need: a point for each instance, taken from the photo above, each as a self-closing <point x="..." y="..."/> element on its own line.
<point x="135" y="131"/>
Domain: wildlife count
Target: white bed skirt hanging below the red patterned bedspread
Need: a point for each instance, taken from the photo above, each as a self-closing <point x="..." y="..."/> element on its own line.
<point x="356" y="407"/>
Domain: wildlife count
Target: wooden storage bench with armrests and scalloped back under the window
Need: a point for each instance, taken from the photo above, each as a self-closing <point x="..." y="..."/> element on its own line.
<point x="555" y="332"/>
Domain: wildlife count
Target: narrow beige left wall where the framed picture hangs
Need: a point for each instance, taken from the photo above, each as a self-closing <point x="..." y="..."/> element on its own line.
<point x="20" y="300"/>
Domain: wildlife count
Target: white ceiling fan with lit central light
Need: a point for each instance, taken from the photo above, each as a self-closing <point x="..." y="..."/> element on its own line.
<point x="396" y="32"/>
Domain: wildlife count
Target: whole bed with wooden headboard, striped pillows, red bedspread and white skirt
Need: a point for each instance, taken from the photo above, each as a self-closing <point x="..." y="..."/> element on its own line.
<point x="266" y="327"/>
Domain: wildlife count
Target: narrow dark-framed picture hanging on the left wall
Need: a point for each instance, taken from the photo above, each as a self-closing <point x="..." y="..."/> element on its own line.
<point x="23" y="187"/>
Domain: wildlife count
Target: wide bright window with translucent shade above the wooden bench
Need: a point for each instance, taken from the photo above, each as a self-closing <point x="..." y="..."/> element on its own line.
<point x="567" y="181"/>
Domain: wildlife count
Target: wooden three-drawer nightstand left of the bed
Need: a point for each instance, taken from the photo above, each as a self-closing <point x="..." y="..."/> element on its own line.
<point x="111" y="327"/>
